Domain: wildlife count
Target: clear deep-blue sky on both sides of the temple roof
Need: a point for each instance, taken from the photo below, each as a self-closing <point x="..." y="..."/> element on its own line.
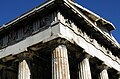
<point x="108" y="9"/>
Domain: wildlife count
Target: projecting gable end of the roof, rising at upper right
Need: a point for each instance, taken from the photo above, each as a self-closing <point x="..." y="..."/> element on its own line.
<point x="94" y="17"/>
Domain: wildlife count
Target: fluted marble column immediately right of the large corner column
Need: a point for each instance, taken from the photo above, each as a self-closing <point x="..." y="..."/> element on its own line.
<point x="84" y="69"/>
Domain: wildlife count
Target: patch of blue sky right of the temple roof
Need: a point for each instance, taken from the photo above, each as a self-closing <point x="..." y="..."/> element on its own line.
<point x="108" y="9"/>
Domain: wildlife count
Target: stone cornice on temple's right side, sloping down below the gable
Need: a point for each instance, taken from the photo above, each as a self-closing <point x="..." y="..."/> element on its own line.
<point x="77" y="15"/>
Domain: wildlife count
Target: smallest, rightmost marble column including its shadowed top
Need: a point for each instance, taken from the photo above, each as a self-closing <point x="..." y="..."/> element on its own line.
<point x="104" y="73"/>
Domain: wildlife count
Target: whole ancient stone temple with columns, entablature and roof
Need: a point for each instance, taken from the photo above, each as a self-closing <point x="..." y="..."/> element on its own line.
<point x="59" y="39"/>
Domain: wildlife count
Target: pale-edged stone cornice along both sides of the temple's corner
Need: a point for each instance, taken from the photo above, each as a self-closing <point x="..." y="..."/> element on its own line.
<point x="65" y="5"/>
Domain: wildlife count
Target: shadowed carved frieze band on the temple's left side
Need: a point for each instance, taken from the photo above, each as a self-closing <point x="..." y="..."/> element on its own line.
<point x="26" y="29"/>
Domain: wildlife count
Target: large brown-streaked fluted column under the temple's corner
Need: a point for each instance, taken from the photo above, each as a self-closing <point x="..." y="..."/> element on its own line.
<point x="60" y="65"/>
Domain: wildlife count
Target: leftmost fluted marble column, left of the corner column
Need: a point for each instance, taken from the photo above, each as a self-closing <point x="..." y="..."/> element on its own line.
<point x="24" y="70"/>
